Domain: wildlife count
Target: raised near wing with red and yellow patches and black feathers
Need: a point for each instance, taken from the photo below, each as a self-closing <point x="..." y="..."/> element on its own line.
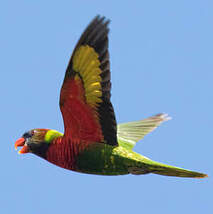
<point x="85" y="94"/>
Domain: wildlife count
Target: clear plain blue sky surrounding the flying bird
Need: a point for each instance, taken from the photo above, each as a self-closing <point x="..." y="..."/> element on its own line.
<point x="161" y="61"/>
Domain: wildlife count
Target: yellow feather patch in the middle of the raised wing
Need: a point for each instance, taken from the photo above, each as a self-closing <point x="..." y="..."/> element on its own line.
<point x="86" y="63"/>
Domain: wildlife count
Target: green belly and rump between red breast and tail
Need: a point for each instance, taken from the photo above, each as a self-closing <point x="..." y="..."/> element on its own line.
<point x="104" y="159"/>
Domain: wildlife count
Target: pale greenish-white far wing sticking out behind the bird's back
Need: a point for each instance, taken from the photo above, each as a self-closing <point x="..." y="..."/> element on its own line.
<point x="130" y="133"/>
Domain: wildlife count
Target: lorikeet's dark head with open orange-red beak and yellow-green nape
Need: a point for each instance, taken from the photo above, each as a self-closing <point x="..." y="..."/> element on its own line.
<point x="36" y="141"/>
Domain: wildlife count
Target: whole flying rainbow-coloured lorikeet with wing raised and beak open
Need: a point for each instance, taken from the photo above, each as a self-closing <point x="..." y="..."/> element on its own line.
<point x="92" y="142"/>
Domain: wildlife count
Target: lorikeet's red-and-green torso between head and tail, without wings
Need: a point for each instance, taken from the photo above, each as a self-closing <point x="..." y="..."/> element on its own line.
<point x="95" y="157"/>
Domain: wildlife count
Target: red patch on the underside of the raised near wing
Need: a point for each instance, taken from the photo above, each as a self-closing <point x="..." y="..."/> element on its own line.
<point x="79" y="117"/>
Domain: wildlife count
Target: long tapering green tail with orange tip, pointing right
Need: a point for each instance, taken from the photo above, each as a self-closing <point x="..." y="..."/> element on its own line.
<point x="150" y="166"/>
